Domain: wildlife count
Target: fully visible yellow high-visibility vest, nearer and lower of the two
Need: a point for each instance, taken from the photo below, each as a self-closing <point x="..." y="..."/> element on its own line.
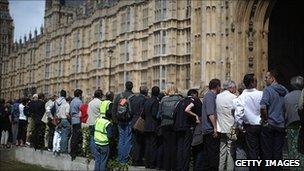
<point x="100" y="133"/>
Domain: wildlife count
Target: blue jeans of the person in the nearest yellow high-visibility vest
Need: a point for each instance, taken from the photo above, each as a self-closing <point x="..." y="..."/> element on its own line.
<point x="102" y="157"/>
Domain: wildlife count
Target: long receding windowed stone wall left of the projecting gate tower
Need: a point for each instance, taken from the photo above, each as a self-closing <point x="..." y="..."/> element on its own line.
<point x="147" y="42"/>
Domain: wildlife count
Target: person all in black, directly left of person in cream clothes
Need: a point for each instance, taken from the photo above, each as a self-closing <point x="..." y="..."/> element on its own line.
<point x="37" y="109"/>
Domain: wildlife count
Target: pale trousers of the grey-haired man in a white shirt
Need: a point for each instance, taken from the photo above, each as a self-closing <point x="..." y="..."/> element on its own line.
<point x="226" y="160"/>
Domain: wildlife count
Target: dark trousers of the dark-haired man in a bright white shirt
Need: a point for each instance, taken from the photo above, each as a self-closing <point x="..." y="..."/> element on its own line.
<point x="253" y="141"/>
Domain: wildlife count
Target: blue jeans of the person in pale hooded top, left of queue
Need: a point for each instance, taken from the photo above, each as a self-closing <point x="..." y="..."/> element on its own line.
<point x="65" y="131"/>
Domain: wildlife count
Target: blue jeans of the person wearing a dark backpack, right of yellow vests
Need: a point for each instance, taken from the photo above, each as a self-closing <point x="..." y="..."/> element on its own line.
<point x="124" y="142"/>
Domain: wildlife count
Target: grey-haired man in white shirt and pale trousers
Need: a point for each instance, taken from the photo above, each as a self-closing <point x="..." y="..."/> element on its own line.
<point x="225" y="120"/>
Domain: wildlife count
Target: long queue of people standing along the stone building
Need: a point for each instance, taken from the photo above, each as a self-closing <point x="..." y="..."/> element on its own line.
<point x="165" y="130"/>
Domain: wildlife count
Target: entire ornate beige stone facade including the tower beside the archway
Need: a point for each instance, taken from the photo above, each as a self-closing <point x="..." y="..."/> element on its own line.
<point x="102" y="44"/>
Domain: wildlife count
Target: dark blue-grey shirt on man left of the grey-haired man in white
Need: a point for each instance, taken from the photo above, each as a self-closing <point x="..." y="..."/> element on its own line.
<point x="208" y="108"/>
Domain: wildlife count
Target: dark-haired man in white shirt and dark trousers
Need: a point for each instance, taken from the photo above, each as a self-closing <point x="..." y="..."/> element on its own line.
<point x="247" y="114"/>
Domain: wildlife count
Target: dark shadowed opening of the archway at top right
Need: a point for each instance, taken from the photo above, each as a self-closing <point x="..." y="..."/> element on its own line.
<point x="286" y="40"/>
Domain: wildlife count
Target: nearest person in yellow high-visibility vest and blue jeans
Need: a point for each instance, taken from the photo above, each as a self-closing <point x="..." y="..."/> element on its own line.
<point x="102" y="135"/>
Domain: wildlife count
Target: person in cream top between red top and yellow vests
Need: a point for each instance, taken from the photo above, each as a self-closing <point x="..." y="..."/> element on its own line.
<point x="93" y="114"/>
